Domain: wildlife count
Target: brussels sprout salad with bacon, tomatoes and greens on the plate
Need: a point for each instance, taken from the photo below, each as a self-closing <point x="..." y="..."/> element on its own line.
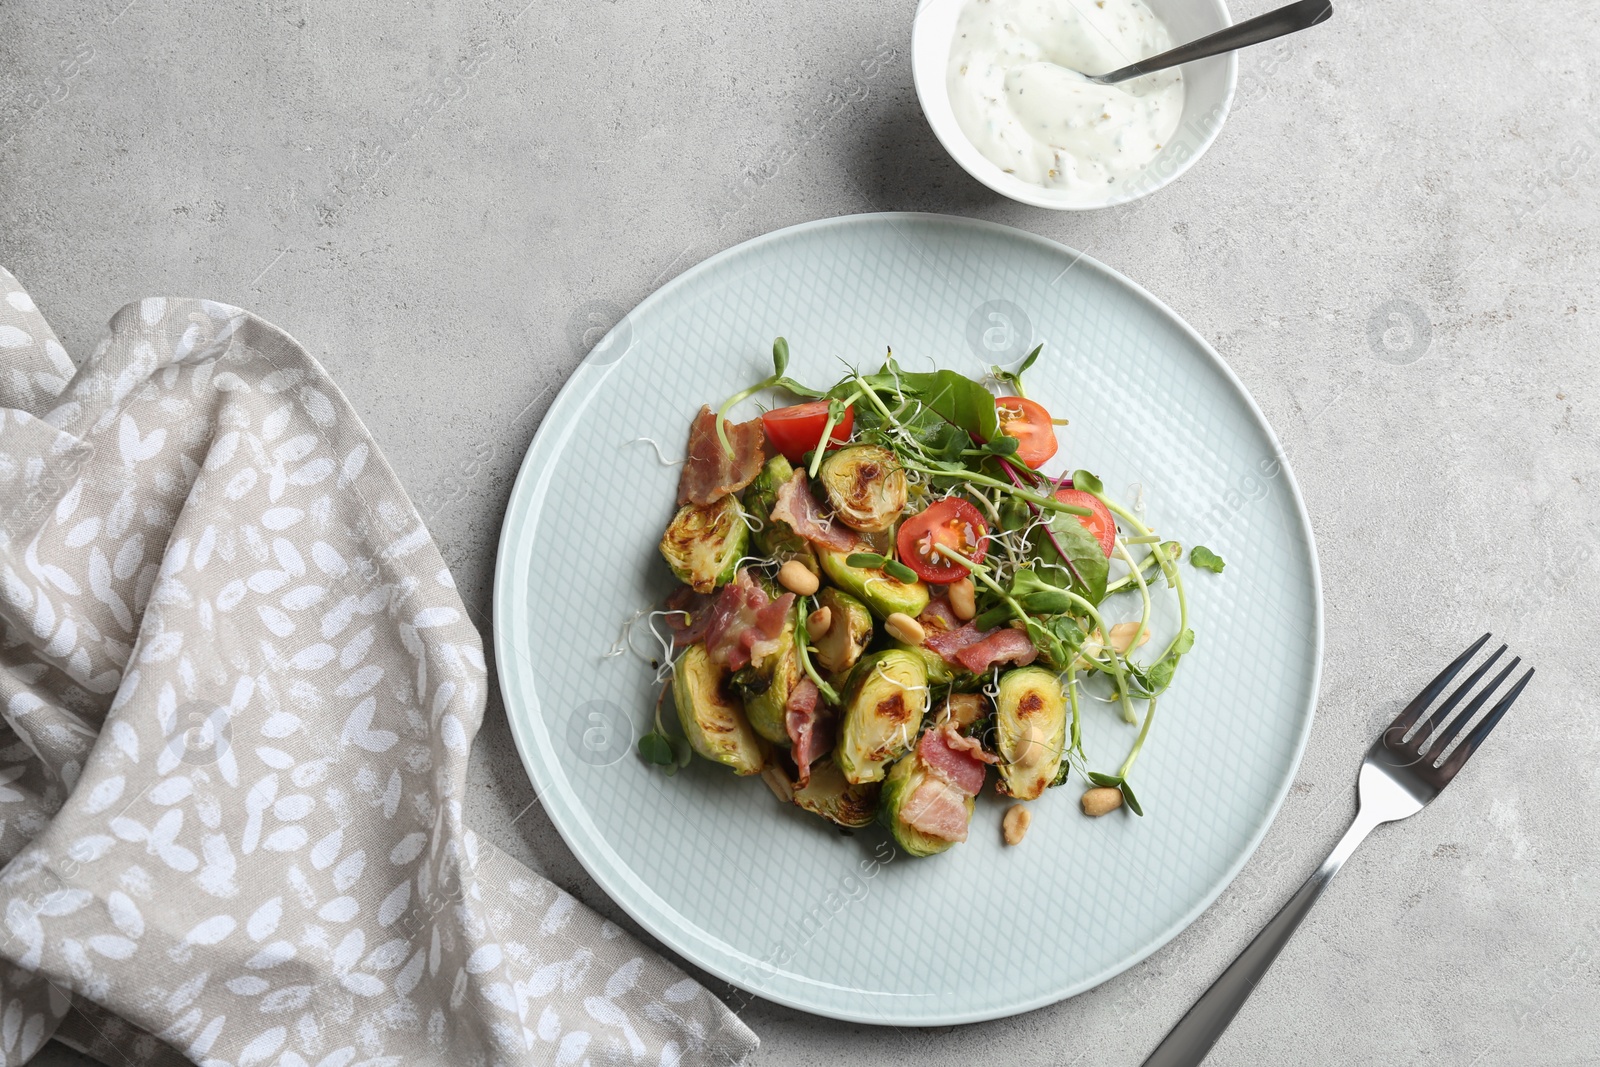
<point x="886" y="596"/>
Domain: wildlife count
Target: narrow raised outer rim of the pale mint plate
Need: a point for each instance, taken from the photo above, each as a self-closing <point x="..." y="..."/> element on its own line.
<point x="564" y="821"/>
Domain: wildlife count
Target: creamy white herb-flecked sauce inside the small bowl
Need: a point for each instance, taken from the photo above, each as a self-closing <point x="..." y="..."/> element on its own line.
<point x="1020" y="95"/>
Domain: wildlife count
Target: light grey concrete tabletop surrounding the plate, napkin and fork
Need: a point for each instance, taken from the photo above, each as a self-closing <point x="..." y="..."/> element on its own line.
<point x="1394" y="244"/>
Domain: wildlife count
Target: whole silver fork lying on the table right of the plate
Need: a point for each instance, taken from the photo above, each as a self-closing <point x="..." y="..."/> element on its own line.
<point x="1402" y="773"/>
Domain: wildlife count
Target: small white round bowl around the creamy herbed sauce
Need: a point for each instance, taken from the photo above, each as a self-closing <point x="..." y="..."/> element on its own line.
<point x="1209" y="94"/>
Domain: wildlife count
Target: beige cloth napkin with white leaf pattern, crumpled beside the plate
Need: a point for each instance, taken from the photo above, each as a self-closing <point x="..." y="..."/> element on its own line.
<point x="239" y="692"/>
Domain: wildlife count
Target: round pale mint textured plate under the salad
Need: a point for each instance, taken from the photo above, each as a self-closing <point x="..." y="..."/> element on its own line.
<point x="774" y="900"/>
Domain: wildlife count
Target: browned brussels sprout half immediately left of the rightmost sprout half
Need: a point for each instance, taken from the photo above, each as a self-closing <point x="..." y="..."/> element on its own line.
<point x="884" y="708"/>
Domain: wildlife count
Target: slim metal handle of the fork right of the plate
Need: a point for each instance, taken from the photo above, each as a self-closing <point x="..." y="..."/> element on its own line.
<point x="1191" y="1041"/>
